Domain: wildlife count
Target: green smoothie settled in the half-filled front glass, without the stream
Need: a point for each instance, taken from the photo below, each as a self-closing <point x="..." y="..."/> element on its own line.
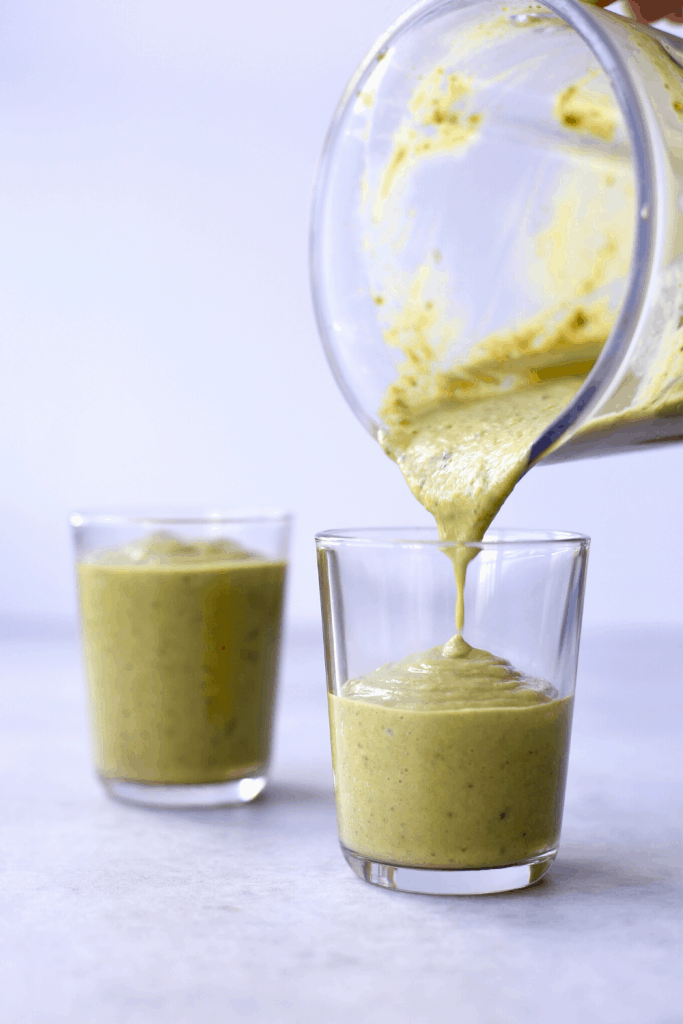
<point x="450" y="759"/>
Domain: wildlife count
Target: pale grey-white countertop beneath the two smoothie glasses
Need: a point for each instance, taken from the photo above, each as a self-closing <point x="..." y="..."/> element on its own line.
<point x="118" y="915"/>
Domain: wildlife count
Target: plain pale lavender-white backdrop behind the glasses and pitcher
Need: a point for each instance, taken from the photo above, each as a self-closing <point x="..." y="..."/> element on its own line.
<point x="158" y="342"/>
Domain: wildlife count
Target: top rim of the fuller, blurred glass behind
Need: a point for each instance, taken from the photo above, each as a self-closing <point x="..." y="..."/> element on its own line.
<point x="177" y="518"/>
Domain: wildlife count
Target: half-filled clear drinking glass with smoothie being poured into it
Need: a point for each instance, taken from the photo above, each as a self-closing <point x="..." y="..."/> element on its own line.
<point x="453" y="787"/>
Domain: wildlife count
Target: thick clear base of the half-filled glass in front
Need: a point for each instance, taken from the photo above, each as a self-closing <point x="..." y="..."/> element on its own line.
<point x="454" y="882"/>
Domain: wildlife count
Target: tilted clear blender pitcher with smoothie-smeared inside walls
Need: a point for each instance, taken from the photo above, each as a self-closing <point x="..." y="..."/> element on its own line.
<point x="500" y="169"/>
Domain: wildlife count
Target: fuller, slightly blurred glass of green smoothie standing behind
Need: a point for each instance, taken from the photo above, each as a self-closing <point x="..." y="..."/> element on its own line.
<point x="181" y="622"/>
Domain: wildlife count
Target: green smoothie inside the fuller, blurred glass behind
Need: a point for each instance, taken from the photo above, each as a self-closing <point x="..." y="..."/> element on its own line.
<point x="182" y="645"/>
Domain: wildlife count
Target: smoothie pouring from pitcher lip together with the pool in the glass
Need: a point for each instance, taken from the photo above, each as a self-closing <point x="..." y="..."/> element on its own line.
<point x="452" y="758"/>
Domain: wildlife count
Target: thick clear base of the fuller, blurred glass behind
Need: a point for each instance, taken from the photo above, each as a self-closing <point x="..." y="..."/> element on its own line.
<point x="229" y="794"/>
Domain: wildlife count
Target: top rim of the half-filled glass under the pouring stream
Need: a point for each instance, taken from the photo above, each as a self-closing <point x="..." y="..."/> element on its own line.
<point x="416" y="537"/>
